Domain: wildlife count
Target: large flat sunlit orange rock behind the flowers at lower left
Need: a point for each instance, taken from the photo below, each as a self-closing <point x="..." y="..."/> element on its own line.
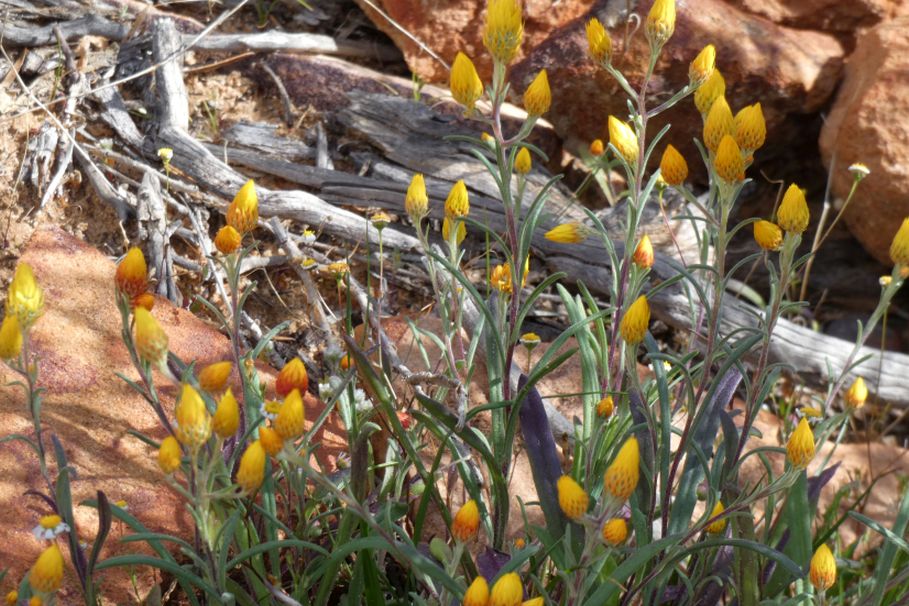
<point x="91" y="410"/>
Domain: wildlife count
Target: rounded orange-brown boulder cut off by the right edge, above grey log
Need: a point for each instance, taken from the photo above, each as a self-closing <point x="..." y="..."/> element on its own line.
<point x="869" y="123"/>
